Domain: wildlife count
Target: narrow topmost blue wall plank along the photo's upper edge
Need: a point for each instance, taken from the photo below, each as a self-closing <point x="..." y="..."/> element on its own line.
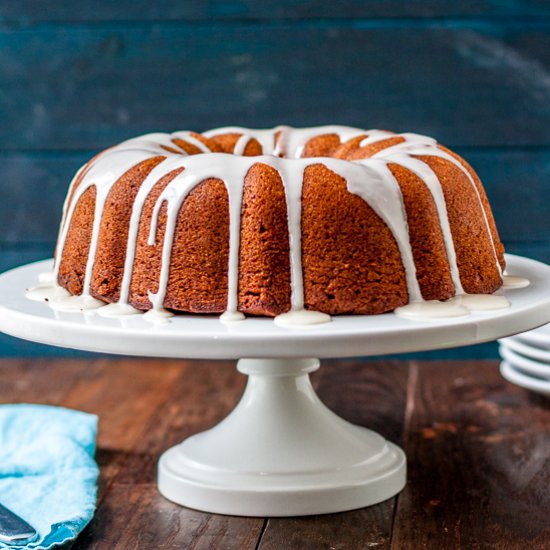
<point x="27" y="11"/>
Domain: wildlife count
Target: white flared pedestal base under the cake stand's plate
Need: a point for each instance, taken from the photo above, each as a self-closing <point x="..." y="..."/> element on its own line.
<point x="281" y="452"/>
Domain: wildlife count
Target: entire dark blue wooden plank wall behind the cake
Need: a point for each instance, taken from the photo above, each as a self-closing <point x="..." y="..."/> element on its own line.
<point x="76" y="77"/>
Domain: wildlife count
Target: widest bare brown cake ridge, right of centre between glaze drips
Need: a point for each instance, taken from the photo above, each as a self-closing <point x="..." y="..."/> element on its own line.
<point x="351" y="262"/>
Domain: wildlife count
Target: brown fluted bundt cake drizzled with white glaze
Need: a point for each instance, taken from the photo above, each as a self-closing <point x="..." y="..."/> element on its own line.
<point x="333" y="219"/>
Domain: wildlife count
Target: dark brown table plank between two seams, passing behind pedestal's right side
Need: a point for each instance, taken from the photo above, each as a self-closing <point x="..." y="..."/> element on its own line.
<point x="368" y="394"/>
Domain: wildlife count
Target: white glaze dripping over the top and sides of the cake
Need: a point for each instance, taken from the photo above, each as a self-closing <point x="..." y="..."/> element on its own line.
<point x="369" y="178"/>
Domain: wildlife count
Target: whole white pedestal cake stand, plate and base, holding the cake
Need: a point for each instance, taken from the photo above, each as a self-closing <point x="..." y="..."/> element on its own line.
<point x="281" y="452"/>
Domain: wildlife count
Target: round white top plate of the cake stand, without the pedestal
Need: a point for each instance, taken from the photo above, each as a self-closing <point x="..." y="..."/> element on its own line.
<point x="195" y="336"/>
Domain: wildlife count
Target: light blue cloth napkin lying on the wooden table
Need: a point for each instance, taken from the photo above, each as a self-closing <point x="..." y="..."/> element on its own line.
<point x="48" y="474"/>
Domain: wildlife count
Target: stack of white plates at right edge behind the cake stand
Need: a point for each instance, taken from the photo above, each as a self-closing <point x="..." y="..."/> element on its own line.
<point x="526" y="359"/>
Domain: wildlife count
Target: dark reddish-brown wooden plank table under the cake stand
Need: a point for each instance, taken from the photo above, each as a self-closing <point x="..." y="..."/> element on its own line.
<point x="478" y="449"/>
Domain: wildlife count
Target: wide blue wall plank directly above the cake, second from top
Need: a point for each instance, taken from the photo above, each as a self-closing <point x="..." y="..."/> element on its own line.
<point x="480" y="84"/>
